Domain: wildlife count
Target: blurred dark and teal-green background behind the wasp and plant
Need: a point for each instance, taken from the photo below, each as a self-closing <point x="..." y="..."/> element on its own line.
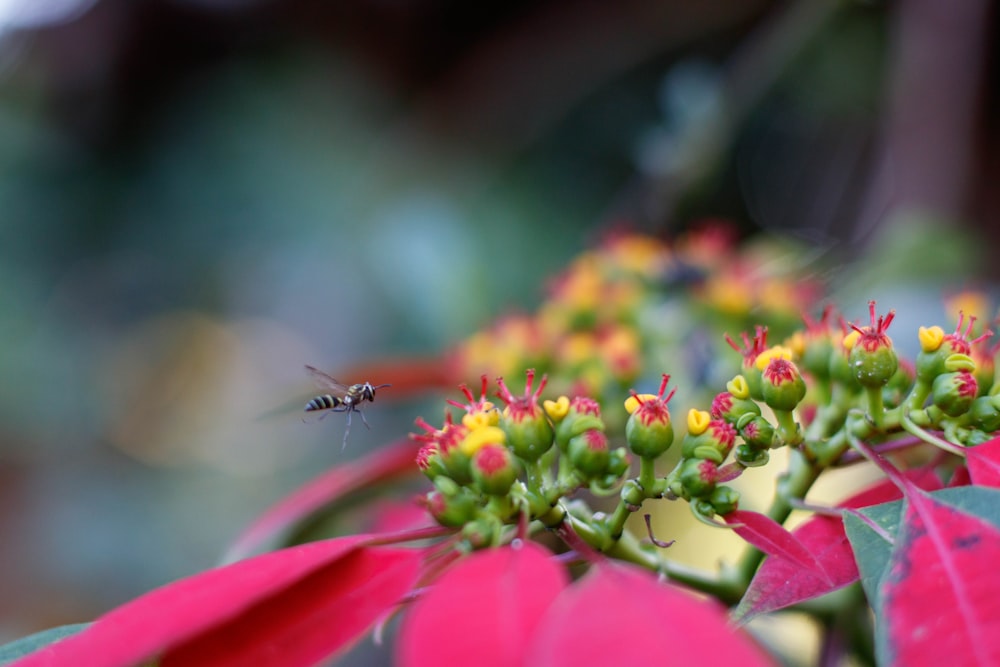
<point x="197" y="197"/>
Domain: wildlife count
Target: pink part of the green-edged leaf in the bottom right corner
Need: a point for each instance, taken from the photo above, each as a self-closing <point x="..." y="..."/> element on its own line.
<point x="941" y="596"/>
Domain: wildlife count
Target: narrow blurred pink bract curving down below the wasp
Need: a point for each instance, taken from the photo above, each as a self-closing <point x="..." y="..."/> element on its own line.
<point x="382" y="465"/>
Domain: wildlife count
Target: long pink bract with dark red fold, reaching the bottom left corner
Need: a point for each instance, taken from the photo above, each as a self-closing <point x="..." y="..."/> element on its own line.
<point x="290" y="607"/>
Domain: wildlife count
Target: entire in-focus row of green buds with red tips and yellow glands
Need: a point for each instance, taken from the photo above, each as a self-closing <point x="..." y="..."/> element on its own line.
<point x="815" y="393"/>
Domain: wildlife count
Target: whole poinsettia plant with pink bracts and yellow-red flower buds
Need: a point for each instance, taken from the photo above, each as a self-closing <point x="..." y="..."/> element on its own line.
<point x="517" y="548"/>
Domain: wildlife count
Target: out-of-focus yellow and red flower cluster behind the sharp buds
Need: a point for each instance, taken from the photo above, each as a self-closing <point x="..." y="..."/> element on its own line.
<point x="602" y="322"/>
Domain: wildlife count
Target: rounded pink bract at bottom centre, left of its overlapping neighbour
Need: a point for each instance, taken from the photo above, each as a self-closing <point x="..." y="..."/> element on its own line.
<point x="483" y="610"/>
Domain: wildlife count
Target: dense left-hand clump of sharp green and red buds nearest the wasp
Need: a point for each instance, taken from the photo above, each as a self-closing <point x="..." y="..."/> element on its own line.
<point x="501" y="465"/>
